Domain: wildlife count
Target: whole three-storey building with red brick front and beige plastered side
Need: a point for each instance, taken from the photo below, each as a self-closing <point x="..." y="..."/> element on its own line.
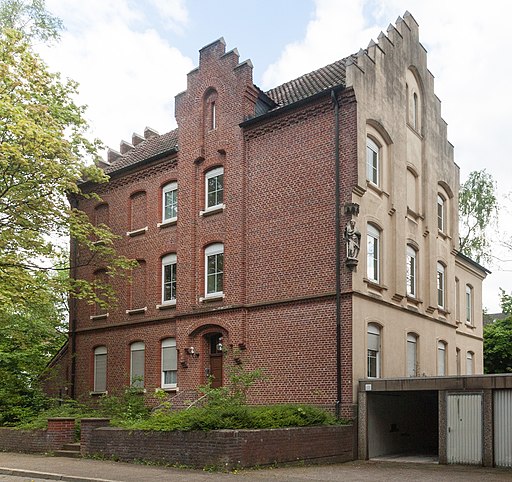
<point x="310" y="231"/>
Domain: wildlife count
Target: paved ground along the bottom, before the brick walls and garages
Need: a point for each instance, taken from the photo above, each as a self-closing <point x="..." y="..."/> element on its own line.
<point x="40" y="467"/>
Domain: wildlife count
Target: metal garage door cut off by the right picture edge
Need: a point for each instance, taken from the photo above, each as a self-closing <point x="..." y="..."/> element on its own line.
<point x="503" y="428"/>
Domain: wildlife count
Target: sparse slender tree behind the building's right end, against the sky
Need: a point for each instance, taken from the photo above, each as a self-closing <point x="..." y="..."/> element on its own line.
<point x="478" y="210"/>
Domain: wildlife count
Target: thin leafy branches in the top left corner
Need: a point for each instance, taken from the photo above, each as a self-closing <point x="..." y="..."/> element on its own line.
<point x="31" y="18"/>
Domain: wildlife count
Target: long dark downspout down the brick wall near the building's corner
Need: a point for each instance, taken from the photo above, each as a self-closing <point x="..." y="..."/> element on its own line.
<point x="338" y="249"/>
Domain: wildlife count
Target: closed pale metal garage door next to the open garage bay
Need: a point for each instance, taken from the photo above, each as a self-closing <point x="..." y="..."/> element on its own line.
<point x="464" y="437"/>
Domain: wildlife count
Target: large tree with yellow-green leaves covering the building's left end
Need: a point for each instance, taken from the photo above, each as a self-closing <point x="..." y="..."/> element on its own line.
<point x="43" y="155"/>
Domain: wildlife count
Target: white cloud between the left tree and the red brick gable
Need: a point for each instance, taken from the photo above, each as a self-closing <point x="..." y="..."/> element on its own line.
<point x="128" y="77"/>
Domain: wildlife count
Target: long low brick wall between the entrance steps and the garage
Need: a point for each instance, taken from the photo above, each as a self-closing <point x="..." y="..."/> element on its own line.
<point x="225" y="448"/>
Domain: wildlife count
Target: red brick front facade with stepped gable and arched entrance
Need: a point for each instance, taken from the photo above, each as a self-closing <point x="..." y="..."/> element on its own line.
<point x="277" y="226"/>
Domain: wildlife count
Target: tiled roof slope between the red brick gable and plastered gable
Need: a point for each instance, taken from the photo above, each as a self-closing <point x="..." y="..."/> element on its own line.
<point x="331" y="75"/>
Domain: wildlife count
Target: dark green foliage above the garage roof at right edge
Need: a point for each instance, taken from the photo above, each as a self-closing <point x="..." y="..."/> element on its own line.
<point x="498" y="346"/>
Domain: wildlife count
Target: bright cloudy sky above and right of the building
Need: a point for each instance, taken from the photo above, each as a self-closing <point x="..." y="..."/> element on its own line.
<point x="131" y="58"/>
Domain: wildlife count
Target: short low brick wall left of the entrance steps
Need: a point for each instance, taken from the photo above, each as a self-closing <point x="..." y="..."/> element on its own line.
<point x="60" y="431"/>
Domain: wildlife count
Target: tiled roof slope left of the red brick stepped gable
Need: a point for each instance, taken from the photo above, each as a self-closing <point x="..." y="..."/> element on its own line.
<point x="145" y="150"/>
